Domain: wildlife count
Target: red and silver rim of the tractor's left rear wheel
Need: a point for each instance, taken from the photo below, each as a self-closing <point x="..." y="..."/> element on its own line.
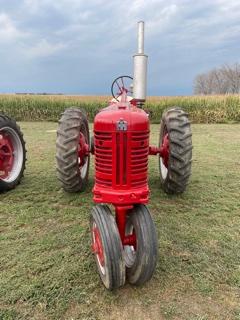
<point x="83" y="153"/>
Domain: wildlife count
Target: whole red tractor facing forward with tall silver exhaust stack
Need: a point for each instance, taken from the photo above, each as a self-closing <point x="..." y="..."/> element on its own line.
<point x="125" y="244"/>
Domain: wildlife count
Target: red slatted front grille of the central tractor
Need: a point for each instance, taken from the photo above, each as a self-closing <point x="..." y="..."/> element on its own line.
<point x="121" y="159"/>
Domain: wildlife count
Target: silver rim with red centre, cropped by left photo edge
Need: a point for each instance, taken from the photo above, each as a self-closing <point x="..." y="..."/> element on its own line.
<point x="11" y="154"/>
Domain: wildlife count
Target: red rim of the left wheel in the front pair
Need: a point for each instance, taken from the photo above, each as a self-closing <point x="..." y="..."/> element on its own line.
<point x="98" y="249"/>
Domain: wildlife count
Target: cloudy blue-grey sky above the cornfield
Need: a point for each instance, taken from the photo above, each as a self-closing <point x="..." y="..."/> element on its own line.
<point x="79" y="47"/>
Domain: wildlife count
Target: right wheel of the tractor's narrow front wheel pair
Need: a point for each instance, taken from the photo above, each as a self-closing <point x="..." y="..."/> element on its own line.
<point x="140" y="259"/>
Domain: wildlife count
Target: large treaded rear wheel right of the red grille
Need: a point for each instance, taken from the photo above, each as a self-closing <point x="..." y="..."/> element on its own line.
<point x="176" y="149"/>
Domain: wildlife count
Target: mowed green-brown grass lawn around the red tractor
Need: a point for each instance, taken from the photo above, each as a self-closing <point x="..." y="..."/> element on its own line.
<point x="47" y="270"/>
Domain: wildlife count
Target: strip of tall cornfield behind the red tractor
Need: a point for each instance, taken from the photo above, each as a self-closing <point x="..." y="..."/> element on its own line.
<point x="201" y="109"/>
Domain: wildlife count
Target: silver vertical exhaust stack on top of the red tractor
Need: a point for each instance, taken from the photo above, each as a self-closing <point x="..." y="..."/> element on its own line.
<point x="140" y="69"/>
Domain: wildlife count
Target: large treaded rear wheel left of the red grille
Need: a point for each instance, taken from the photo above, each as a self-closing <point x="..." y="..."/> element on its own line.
<point x="72" y="146"/>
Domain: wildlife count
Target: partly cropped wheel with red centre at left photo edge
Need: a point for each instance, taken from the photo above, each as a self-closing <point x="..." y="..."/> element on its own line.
<point x="12" y="154"/>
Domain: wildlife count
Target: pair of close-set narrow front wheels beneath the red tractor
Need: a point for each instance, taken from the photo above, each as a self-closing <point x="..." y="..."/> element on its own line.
<point x="116" y="262"/>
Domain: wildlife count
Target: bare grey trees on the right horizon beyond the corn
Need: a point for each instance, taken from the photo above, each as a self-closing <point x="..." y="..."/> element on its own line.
<point x="222" y="80"/>
